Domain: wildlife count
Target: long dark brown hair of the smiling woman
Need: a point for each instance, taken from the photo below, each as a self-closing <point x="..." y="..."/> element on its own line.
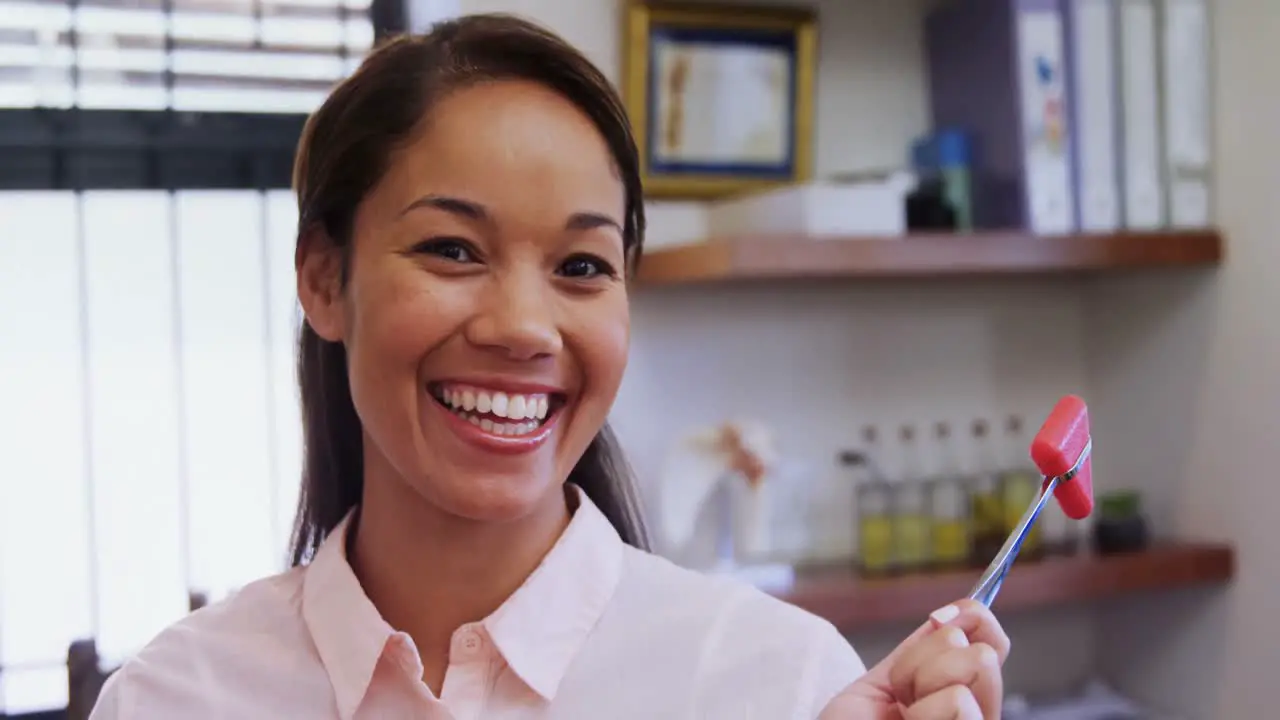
<point x="345" y="149"/>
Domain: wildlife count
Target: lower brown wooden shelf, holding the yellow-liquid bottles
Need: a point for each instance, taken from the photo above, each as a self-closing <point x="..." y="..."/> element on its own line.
<point x="852" y="603"/>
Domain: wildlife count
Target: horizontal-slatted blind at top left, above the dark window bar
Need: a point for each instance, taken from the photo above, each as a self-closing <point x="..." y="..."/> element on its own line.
<point x="194" y="56"/>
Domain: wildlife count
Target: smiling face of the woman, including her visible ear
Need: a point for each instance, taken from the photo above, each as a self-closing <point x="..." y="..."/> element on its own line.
<point x="486" y="317"/>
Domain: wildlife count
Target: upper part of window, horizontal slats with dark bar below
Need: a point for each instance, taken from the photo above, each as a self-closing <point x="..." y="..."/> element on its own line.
<point x="88" y="86"/>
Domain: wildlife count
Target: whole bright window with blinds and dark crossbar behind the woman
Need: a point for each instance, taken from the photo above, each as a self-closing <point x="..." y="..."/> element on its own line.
<point x="118" y="438"/>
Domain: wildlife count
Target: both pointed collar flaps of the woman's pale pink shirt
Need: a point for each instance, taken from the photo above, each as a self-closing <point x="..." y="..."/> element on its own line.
<point x="538" y="631"/>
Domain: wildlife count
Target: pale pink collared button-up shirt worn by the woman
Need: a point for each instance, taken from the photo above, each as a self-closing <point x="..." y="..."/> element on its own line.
<point x="598" y="631"/>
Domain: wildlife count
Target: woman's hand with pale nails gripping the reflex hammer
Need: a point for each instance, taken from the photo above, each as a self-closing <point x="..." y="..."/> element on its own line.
<point x="949" y="669"/>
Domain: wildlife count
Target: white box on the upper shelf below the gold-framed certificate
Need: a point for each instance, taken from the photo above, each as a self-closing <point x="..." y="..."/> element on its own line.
<point x="822" y="209"/>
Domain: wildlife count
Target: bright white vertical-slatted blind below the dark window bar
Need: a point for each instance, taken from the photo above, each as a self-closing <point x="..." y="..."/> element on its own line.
<point x="150" y="425"/>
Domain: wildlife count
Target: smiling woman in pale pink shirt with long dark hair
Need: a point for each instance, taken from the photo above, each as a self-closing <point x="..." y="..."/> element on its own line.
<point x="468" y="544"/>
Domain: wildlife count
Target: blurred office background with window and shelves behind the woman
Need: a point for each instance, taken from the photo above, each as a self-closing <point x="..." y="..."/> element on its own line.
<point x="886" y="236"/>
